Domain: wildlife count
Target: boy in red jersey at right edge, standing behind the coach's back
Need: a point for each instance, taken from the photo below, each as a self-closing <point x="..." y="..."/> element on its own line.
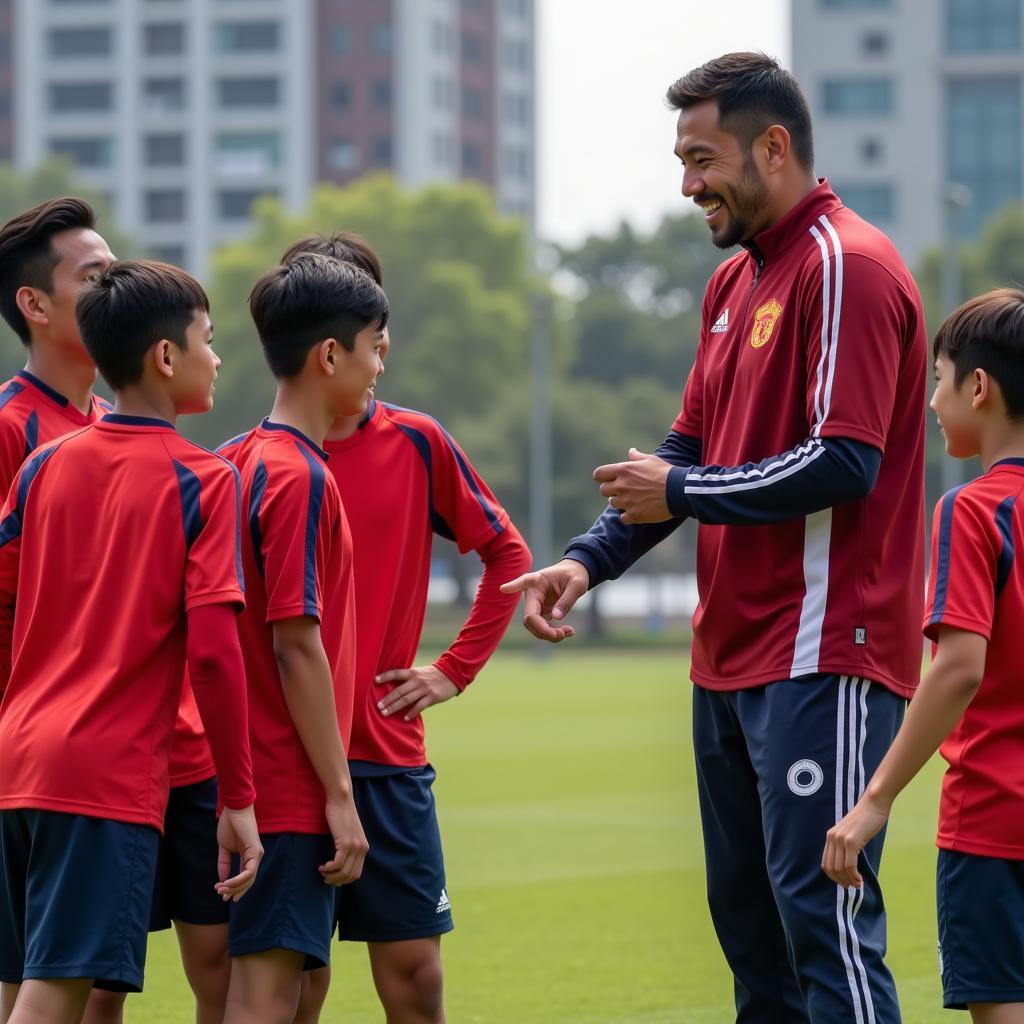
<point x="970" y="700"/>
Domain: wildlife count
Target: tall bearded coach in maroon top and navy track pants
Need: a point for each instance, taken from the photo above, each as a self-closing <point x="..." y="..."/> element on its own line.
<point x="800" y="449"/>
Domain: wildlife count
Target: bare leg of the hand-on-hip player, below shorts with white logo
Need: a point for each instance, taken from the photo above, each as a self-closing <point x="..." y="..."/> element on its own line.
<point x="409" y="979"/>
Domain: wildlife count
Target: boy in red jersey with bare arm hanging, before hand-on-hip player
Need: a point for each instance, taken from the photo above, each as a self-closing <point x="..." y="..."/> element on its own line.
<point x="322" y="325"/>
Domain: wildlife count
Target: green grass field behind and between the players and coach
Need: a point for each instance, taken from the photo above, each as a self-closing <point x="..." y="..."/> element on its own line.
<point x="575" y="864"/>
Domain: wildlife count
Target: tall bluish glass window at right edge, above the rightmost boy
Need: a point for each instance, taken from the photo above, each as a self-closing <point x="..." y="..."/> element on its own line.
<point x="984" y="145"/>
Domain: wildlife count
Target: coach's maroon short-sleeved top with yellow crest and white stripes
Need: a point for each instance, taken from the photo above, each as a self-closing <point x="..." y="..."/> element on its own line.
<point x="818" y="331"/>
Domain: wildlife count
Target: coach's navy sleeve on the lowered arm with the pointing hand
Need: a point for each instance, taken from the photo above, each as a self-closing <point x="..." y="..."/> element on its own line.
<point x="611" y="546"/>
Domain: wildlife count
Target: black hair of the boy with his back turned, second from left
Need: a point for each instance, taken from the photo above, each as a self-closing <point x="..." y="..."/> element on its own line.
<point x="132" y="307"/>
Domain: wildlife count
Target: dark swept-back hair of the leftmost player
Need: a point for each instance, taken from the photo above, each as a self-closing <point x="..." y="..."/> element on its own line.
<point x="28" y="257"/>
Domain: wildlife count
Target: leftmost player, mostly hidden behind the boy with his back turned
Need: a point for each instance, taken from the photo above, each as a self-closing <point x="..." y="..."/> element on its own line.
<point x="49" y="254"/>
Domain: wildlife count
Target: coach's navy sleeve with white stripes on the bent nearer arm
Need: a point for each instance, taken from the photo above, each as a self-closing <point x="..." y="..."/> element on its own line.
<point x="817" y="475"/>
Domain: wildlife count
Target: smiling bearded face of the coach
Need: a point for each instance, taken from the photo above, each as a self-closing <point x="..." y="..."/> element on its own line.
<point x="722" y="176"/>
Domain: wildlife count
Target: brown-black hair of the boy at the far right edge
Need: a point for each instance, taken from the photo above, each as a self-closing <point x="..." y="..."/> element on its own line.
<point x="988" y="333"/>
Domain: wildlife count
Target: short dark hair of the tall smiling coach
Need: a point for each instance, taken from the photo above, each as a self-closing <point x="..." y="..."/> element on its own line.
<point x="754" y="92"/>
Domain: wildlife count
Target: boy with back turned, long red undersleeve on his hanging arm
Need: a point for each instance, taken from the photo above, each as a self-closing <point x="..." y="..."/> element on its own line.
<point x="117" y="585"/>
